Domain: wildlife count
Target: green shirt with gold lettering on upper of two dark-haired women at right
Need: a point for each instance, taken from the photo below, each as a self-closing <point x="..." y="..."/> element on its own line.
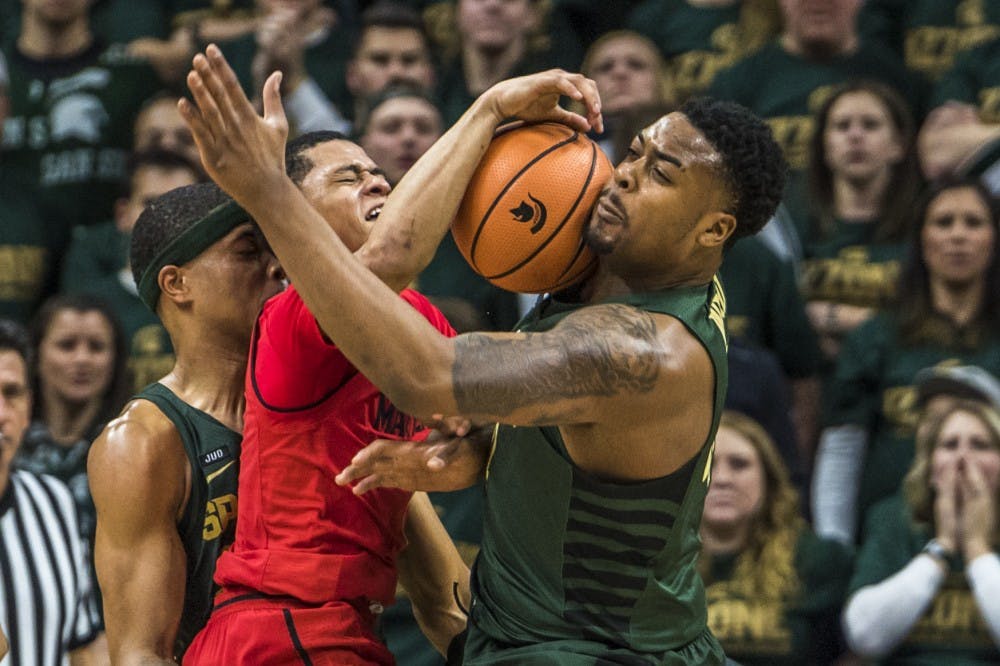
<point x="848" y="266"/>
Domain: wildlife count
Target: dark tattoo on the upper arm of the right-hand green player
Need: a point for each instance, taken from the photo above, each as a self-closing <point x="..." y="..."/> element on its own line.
<point x="605" y="351"/>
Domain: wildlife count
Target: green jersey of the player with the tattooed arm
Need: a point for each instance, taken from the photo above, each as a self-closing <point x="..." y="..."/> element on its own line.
<point x="578" y="570"/>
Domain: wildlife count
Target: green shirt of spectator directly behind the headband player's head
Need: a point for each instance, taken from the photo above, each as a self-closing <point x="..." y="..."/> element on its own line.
<point x="95" y="264"/>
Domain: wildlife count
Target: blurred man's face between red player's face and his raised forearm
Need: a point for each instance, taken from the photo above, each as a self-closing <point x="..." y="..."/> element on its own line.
<point x="398" y="132"/>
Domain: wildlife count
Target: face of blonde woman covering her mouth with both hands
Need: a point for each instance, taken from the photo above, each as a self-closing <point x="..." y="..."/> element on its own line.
<point x="966" y="441"/>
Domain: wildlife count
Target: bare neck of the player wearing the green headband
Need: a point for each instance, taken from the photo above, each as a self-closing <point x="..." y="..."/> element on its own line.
<point x="210" y="378"/>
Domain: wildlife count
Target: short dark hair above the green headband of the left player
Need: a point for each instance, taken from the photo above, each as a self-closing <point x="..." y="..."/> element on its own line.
<point x="169" y="215"/>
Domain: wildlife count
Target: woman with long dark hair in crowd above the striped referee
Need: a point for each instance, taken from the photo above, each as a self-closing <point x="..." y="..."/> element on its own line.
<point x="80" y="381"/>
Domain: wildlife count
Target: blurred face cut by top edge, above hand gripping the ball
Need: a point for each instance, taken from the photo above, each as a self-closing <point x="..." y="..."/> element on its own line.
<point x="493" y="26"/>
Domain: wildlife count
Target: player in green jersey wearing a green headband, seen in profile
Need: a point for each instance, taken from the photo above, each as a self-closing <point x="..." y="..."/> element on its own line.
<point x="164" y="473"/>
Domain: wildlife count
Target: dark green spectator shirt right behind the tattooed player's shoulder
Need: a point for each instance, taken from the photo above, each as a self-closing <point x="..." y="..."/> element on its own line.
<point x="764" y="307"/>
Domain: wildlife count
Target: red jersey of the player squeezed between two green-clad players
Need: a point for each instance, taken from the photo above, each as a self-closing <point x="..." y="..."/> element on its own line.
<point x="308" y="412"/>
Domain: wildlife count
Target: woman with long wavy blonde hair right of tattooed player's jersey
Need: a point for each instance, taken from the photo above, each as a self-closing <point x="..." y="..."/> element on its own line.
<point x="774" y="589"/>
